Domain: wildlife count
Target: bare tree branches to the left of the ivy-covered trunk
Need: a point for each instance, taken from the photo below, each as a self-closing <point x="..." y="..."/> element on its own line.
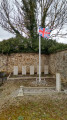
<point x="10" y="19"/>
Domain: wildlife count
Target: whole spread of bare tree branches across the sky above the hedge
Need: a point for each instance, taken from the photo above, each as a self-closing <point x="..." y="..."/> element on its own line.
<point x="18" y="19"/>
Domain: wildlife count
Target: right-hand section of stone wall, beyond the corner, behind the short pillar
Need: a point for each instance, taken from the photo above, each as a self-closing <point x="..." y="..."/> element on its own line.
<point x="58" y="63"/>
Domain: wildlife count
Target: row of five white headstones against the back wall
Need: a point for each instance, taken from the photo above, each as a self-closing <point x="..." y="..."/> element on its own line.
<point x="15" y="70"/>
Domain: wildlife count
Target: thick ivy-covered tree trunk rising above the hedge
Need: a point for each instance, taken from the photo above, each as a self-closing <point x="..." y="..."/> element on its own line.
<point x="29" y="9"/>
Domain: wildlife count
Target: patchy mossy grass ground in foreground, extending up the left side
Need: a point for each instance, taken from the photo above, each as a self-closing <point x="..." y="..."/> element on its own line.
<point x="39" y="107"/>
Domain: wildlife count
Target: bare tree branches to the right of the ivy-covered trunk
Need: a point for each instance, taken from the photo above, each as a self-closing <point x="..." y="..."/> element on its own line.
<point x="53" y="14"/>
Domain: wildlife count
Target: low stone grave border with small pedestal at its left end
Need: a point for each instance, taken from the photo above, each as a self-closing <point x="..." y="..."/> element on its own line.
<point x="35" y="90"/>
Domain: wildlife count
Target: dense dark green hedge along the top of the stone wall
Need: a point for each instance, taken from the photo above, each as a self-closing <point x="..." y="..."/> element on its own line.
<point x="24" y="45"/>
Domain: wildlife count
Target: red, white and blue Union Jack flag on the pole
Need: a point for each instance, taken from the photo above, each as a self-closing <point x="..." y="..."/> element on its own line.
<point x="44" y="32"/>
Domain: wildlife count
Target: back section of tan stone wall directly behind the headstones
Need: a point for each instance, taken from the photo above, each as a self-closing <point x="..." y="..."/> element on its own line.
<point x="21" y="59"/>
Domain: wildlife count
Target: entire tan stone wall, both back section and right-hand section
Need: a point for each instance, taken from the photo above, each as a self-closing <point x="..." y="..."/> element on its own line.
<point x="56" y="62"/>
